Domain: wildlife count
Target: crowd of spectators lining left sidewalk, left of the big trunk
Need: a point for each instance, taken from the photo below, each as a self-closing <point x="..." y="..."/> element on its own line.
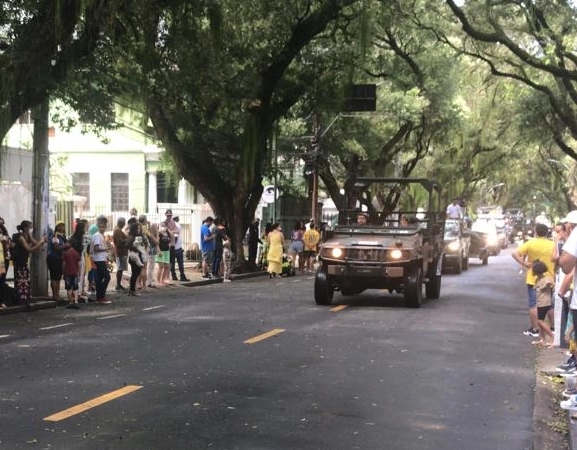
<point x="152" y="254"/>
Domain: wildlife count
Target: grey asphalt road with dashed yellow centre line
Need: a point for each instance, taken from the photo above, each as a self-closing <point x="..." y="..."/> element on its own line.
<point x="176" y="369"/>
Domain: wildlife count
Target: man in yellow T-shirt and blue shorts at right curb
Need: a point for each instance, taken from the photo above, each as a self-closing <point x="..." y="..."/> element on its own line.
<point x="541" y="249"/>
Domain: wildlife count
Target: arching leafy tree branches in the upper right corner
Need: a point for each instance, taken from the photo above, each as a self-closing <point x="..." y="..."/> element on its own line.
<point x="530" y="42"/>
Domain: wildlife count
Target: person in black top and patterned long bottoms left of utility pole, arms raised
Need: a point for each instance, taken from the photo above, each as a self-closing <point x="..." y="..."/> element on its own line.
<point x="24" y="244"/>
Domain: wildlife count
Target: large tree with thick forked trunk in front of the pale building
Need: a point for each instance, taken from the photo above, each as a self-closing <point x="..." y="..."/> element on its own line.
<point x="215" y="77"/>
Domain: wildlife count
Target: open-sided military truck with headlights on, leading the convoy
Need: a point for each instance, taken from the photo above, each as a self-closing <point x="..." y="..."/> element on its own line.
<point x="399" y="248"/>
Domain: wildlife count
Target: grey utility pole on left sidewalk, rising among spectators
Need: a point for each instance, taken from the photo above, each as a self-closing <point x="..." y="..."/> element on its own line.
<point x="40" y="198"/>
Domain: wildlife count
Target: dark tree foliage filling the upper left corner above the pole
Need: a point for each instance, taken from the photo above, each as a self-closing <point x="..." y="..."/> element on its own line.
<point x="41" y="42"/>
